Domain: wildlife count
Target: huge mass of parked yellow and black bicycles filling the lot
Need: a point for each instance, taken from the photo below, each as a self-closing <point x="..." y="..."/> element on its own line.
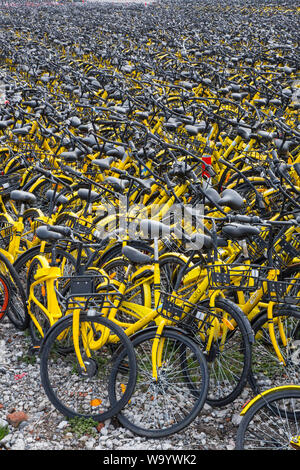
<point x="150" y="203"/>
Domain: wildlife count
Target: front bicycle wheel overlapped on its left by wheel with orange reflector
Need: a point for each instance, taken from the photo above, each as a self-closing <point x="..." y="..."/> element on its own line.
<point x="166" y="406"/>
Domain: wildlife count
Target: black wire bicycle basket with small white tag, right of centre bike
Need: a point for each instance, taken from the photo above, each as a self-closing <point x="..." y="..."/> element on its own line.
<point x="234" y="277"/>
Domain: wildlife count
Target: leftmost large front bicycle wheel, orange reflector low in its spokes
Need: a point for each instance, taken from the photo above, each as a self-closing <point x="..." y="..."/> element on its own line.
<point x="75" y="393"/>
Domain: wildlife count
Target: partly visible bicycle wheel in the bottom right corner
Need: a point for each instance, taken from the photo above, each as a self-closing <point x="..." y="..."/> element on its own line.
<point x="271" y="422"/>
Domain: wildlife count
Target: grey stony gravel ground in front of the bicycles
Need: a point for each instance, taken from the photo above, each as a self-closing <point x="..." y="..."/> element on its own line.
<point x="44" y="428"/>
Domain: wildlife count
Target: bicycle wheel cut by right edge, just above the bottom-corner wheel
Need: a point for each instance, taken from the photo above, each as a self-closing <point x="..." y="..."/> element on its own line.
<point x="266" y="371"/>
